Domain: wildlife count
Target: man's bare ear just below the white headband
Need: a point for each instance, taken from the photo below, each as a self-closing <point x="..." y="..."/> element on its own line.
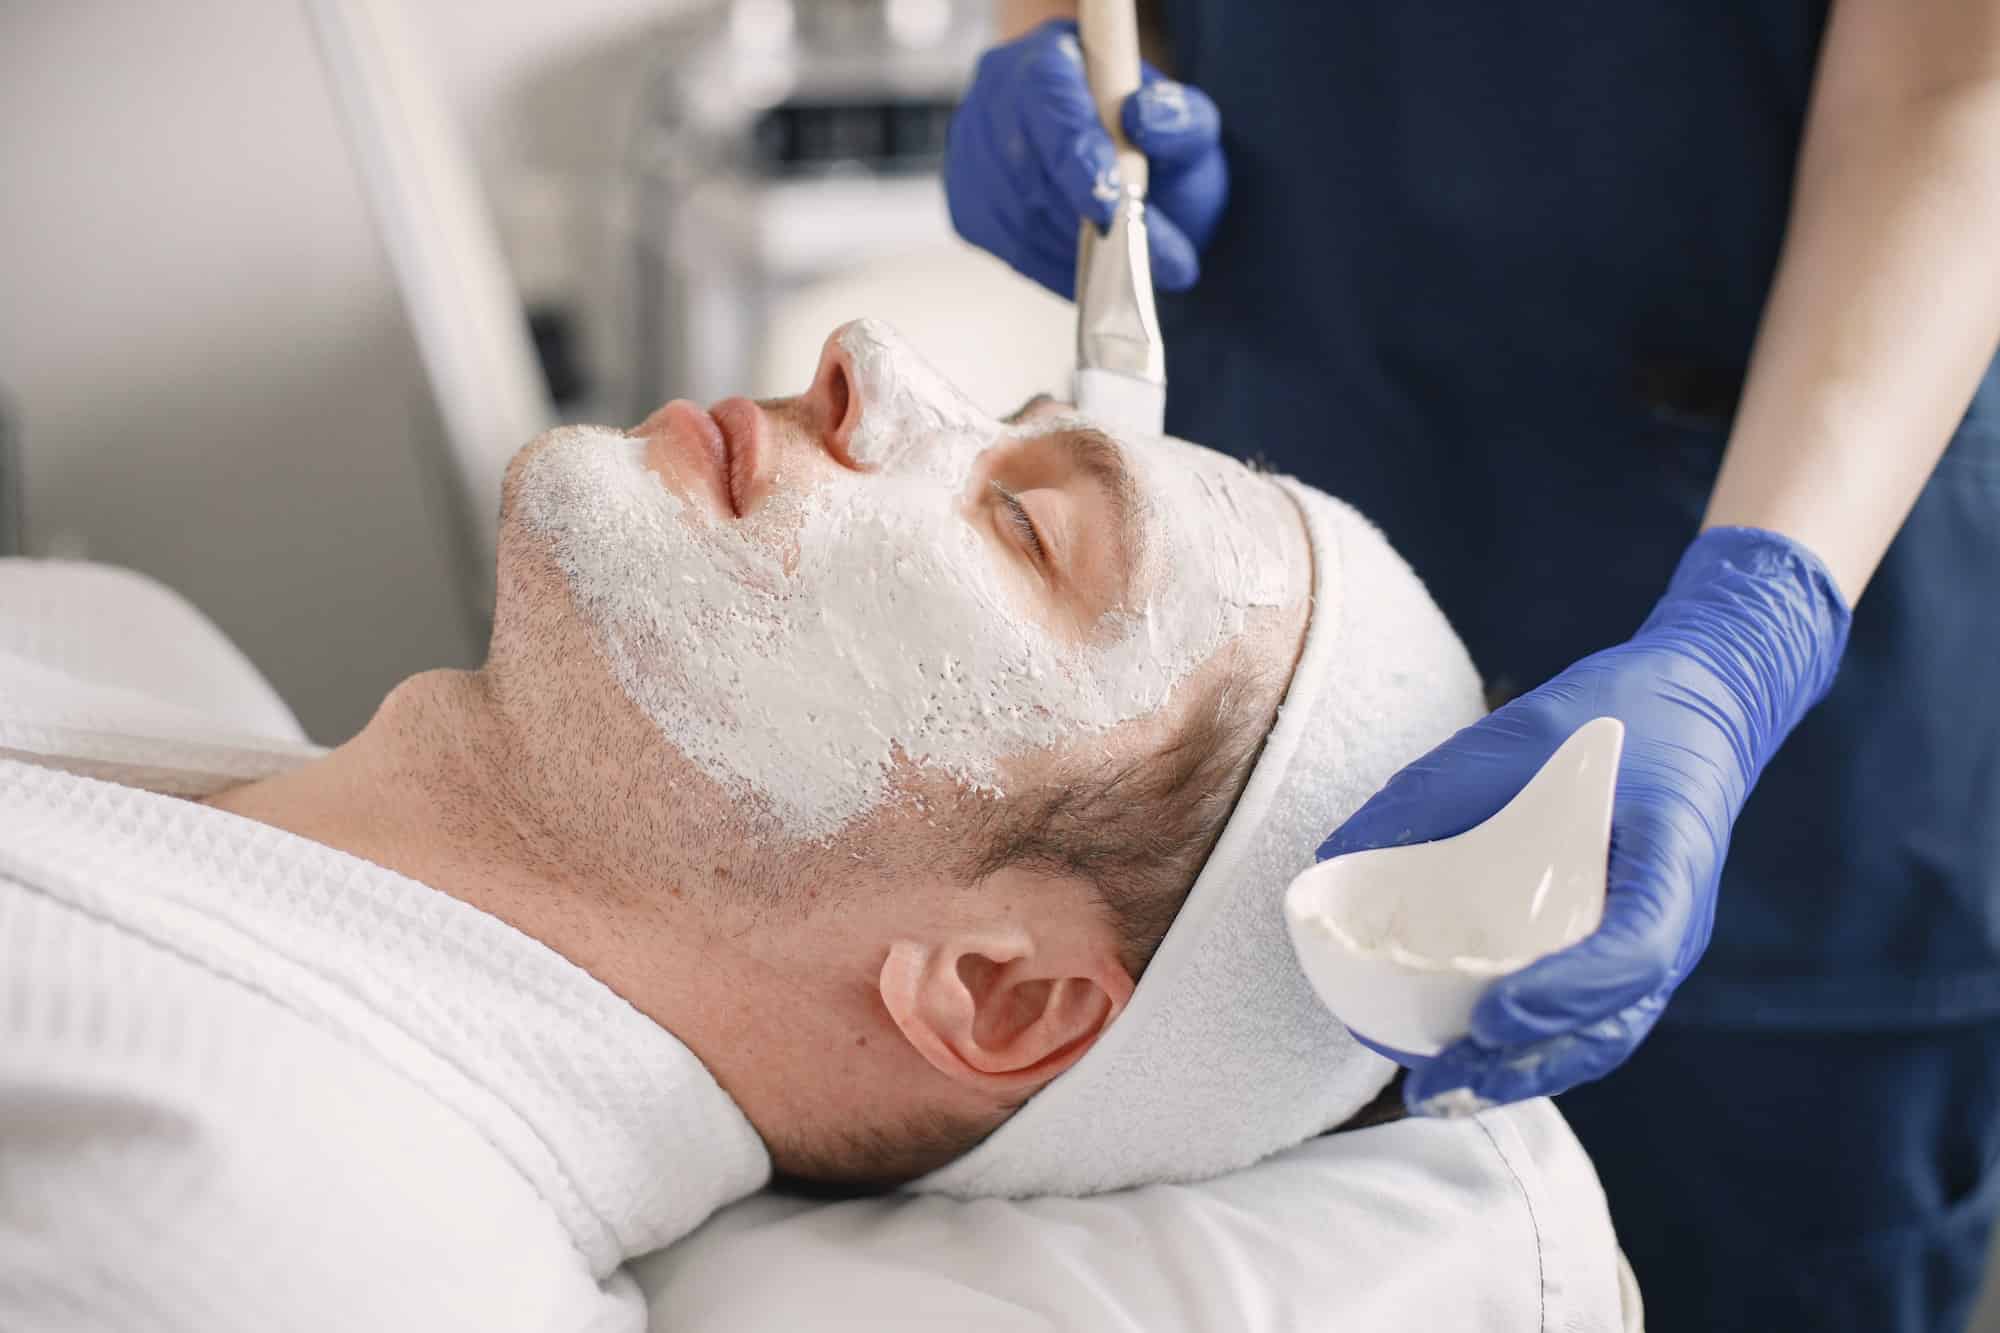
<point x="1009" y="1008"/>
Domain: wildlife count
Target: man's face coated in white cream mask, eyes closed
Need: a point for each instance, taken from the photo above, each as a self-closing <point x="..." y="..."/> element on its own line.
<point x="831" y="603"/>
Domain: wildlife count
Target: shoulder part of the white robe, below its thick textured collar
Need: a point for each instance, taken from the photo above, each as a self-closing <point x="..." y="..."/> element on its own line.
<point x="195" y="1150"/>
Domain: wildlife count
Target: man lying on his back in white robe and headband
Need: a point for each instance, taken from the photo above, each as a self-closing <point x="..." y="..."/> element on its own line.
<point x="835" y="776"/>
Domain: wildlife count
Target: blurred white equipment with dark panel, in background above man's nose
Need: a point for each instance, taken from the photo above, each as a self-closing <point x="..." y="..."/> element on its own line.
<point x="781" y="145"/>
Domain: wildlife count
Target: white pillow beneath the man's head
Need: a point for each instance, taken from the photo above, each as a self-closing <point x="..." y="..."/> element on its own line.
<point x="1487" y="1224"/>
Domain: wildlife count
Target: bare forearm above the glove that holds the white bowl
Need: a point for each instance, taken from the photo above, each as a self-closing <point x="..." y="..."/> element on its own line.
<point x="1887" y="303"/>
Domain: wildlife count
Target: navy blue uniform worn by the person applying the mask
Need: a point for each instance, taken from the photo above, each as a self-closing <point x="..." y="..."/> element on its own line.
<point x="1493" y="273"/>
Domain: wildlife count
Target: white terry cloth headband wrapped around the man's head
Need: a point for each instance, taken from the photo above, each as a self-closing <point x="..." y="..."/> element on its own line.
<point x="1225" y="1054"/>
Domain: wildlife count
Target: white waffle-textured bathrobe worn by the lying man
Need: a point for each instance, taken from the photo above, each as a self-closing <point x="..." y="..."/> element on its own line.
<point x="249" y="1082"/>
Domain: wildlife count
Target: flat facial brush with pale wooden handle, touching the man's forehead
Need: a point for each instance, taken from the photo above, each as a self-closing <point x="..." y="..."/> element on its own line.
<point x="1121" y="359"/>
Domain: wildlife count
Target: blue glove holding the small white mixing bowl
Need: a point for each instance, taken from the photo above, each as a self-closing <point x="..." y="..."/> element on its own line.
<point x="1743" y="643"/>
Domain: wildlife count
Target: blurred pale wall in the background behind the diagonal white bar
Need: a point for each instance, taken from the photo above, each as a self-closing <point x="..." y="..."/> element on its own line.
<point x="203" y="335"/>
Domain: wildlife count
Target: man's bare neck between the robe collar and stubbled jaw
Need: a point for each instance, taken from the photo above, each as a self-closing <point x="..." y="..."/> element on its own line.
<point x="437" y="788"/>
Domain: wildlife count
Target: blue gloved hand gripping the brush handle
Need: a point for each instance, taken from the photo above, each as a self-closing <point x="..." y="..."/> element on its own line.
<point x="1027" y="159"/>
